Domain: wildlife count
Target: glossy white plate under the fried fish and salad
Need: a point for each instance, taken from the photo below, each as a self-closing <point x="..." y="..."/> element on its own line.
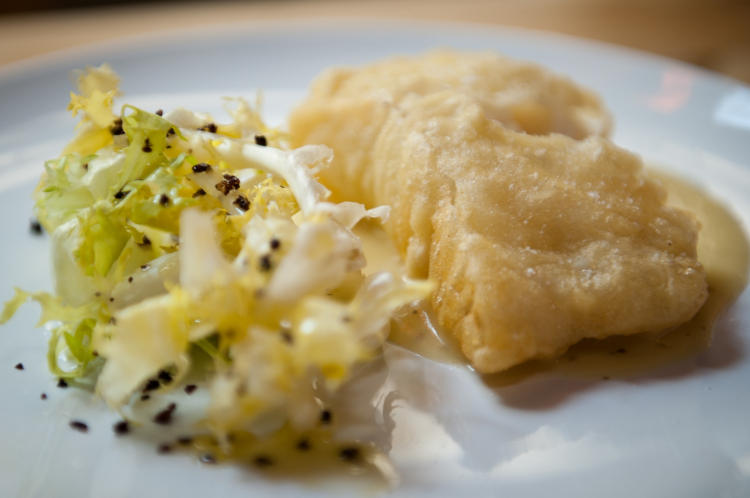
<point x="684" y="432"/>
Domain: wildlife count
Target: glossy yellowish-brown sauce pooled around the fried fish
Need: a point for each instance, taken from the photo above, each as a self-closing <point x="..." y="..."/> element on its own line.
<point x="722" y="248"/>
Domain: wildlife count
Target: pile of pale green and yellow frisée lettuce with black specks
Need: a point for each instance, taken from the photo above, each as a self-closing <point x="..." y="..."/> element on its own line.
<point x="171" y="232"/>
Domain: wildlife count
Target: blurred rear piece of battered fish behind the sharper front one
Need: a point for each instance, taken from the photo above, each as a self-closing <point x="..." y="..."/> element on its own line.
<point x="349" y="106"/>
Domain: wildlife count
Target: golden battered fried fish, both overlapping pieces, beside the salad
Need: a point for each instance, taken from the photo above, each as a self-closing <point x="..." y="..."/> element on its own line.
<point x="535" y="241"/>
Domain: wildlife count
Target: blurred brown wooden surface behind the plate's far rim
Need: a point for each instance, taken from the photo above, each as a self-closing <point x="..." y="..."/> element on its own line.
<point x="714" y="34"/>
